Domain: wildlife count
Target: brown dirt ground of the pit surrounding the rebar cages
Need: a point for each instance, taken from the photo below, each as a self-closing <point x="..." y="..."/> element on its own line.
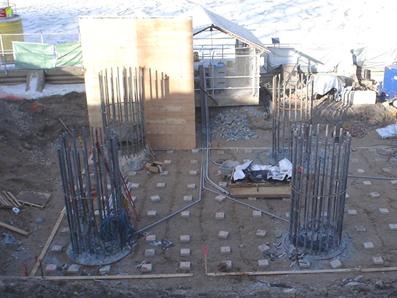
<point x="28" y="131"/>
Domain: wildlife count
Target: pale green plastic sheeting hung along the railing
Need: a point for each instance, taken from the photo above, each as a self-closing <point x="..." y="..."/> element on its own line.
<point x="29" y="55"/>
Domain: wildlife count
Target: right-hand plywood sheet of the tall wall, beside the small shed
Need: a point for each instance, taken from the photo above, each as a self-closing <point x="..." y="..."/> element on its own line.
<point x="165" y="45"/>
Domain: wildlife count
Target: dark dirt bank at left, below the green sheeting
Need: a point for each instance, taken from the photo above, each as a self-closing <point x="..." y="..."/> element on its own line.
<point x="27" y="132"/>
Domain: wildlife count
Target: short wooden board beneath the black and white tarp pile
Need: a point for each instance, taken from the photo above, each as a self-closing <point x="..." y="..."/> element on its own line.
<point x="265" y="190"/>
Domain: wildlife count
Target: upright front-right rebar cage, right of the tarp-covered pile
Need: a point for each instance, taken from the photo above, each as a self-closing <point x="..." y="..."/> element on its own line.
<point x="320" y="157"/>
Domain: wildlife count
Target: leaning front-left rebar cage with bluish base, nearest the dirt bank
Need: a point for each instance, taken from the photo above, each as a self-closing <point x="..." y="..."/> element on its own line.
<point x="96" y="207"/>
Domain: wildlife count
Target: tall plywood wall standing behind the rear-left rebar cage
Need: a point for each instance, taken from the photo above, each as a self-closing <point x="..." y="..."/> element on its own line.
<point x="163" y="46"/>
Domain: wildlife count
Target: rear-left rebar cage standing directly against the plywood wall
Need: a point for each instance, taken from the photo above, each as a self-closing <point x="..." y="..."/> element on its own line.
<point x="122" y="107"/>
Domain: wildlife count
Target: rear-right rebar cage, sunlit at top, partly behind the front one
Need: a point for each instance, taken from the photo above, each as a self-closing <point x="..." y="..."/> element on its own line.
<point x="289" y="106"/>
